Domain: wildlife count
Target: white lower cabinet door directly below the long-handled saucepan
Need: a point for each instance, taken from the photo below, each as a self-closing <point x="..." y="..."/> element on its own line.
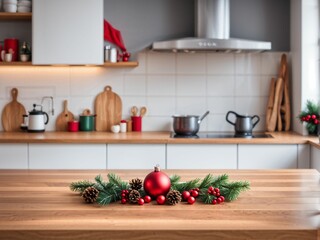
<point x="187" y="156"/>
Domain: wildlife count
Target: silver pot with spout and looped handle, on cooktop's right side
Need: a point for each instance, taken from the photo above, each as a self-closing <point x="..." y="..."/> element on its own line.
<point x="243" y="124"/>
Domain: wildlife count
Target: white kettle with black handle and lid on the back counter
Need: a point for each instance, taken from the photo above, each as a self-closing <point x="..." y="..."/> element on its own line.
<point x="37" y="119"/>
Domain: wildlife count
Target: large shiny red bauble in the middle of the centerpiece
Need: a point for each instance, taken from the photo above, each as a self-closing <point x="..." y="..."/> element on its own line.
<point x="156" y="183"/>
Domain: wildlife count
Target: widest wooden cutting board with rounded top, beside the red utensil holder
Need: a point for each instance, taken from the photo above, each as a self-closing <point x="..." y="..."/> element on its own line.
<point x="108" y="109"/>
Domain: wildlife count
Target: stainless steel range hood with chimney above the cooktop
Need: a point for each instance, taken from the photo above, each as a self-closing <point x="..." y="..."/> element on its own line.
<point x="212" y="29"/>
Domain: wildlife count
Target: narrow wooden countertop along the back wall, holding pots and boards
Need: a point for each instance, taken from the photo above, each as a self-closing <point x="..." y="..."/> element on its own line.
<point x="147" y="138"/>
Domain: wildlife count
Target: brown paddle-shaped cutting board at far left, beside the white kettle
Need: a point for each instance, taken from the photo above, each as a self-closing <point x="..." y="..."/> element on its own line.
<point x="12" y="114"/>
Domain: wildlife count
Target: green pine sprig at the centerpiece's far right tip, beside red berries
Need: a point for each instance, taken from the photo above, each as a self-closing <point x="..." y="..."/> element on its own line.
<point x="232" y="190"/>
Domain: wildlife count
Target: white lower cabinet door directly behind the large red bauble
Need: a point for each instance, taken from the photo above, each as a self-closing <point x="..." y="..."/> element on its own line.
<point x="136" y="156"/>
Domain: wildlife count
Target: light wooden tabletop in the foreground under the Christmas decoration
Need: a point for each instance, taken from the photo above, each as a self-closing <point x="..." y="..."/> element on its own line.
<point x="282" y="204"/>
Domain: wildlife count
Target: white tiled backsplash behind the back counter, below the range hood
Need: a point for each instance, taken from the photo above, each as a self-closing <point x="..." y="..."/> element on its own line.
<point x="166" y="83"/>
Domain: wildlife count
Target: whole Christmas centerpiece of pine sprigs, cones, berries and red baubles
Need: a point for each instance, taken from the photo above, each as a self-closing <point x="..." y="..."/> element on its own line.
<point x="161" y="188"/>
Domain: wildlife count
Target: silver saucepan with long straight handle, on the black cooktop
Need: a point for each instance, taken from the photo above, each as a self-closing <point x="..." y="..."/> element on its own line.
<point x="187" y="125"/>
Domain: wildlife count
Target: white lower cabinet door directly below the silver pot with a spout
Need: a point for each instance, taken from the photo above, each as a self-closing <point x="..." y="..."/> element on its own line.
<point x="278" y="156"/>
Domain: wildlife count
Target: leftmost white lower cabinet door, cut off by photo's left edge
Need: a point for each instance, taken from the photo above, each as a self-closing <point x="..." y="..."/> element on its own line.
<point x="14" y="156"/>
